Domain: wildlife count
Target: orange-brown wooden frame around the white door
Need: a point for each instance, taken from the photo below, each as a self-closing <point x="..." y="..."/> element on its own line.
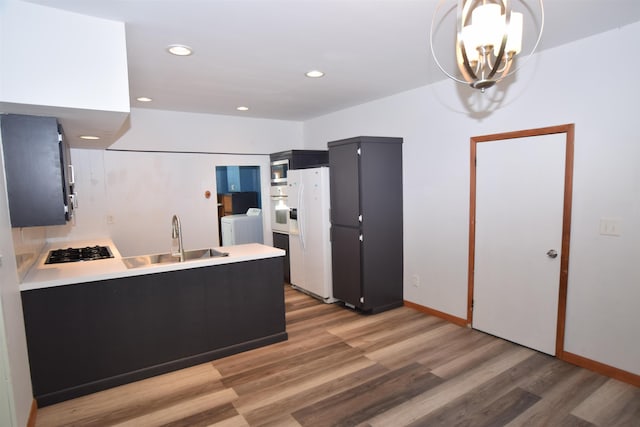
<point x="569" y="130"/>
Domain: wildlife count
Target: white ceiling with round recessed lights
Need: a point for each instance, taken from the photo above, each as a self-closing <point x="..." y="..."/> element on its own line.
<point x="255" y="52"/>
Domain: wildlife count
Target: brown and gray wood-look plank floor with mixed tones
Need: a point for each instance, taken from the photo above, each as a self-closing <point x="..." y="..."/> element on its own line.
<point x="341" y="368"/>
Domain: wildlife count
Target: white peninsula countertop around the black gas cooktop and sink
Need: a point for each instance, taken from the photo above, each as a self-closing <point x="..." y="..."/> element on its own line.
<point x="43" y="275"/>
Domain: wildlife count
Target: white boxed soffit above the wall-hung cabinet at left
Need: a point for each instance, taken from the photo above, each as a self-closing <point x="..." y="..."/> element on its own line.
<point x="67" y="65"/>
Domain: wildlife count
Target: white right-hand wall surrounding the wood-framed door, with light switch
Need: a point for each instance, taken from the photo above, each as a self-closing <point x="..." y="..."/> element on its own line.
<point x="563" y="85"/>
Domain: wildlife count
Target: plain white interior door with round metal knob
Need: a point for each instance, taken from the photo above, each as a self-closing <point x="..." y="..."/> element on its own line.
<point x="518" y="237"/>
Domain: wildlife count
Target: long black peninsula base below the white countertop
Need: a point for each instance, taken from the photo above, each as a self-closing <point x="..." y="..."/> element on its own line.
<point x="87" y="337"/>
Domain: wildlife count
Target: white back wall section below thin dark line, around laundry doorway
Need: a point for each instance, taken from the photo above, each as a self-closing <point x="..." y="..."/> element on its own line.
<point x="146" y="189"/>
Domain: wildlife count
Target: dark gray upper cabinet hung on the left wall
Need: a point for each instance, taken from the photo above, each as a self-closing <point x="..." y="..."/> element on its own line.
<point x="35" y="158"/>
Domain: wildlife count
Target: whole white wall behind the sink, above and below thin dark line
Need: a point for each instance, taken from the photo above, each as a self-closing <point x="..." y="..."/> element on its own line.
<point x="131" y="195"/>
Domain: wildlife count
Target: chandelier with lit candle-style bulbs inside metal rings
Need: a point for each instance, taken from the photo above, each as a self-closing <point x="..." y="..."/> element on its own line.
<point x="489" y="36"/>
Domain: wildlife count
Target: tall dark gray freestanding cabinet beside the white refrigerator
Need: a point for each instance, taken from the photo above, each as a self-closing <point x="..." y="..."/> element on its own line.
<point x="366" y="222"/>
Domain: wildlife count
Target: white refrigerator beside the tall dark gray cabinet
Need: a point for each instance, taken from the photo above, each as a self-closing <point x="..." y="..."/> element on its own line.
<point x="309" y="232"/>
